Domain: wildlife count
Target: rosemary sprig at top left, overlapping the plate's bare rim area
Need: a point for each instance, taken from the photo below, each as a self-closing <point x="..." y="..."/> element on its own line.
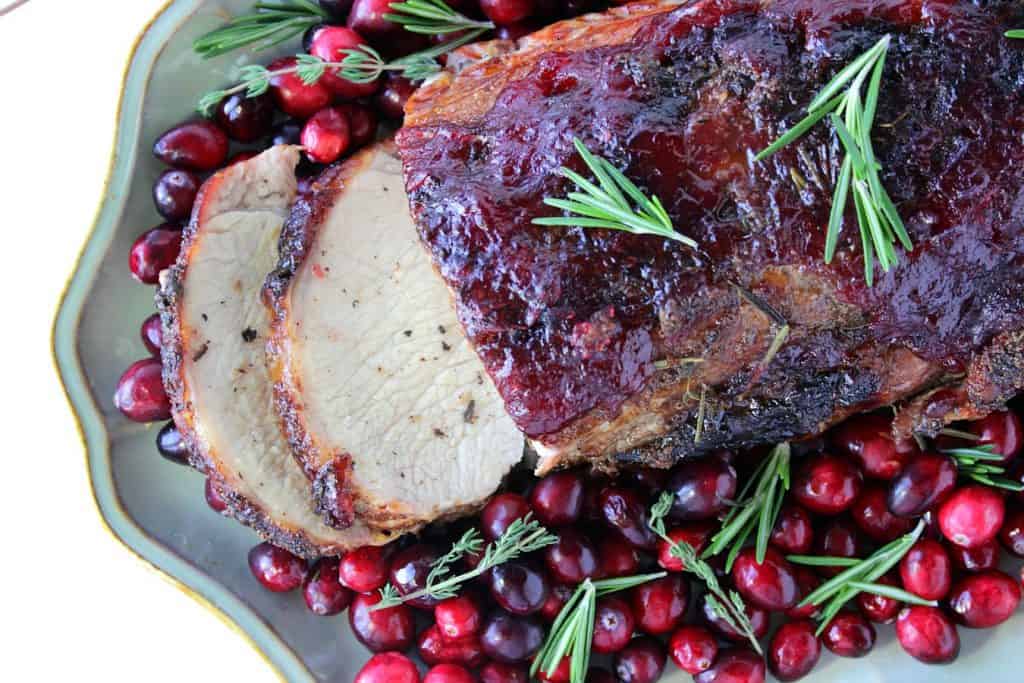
<point x="269" y="25"/>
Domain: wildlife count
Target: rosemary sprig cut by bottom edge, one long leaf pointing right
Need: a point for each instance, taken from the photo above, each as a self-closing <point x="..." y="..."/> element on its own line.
<point x="573" y="632"/>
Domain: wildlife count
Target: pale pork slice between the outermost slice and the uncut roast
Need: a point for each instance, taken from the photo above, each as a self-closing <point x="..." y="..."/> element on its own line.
<point x="385" y="402"/>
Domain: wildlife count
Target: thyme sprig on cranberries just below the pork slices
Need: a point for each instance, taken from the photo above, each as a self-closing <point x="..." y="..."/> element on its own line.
<point x="523" y="537"/>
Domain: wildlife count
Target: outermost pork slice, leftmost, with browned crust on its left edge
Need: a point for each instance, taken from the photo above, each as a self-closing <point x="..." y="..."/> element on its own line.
<point x="216" y="329"/>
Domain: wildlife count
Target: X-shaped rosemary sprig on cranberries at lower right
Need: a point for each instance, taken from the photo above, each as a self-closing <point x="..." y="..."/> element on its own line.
<point x="839" y="590"/>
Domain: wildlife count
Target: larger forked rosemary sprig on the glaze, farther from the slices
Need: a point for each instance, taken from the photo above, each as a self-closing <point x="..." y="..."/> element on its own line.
<point x="852" y="118"/>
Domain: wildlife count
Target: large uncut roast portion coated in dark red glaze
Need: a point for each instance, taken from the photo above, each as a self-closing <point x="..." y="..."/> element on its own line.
<point x="580" y="329"/>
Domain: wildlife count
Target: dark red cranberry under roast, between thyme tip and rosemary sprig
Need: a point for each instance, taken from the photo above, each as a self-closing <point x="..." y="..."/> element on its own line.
<point x="702" y="488"/>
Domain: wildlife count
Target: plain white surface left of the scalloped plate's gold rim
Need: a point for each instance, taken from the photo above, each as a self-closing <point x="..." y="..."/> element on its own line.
<point x="76" y="606"/>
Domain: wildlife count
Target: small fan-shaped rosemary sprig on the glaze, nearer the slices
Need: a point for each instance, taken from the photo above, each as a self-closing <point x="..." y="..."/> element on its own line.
<point x="607" y="204"/>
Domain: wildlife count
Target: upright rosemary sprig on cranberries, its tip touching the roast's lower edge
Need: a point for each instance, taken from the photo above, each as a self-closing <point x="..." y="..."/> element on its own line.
<point x="757" y="508"/>
